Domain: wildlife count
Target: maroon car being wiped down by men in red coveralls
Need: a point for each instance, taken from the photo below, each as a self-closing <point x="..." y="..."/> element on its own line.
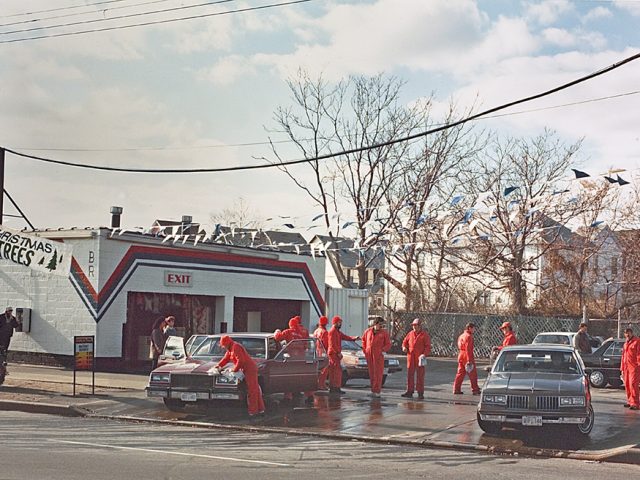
<point x="186" y="377"/>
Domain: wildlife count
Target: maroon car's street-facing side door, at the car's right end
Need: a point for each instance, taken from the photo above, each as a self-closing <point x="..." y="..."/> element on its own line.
<point x="295" y="368"/>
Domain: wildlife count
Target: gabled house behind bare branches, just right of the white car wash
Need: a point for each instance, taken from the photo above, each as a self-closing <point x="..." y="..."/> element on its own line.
<point x="342" y="255"/>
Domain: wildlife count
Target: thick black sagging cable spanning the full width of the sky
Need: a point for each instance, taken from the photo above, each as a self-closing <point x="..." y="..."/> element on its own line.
<point x="344" y="152"/>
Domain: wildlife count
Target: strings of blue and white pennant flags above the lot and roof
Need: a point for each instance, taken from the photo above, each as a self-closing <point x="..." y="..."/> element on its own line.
<point x="465" y="226"/>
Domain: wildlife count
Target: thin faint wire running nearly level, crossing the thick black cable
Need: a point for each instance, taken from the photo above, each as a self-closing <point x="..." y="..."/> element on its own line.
<point x="253" y="144"/>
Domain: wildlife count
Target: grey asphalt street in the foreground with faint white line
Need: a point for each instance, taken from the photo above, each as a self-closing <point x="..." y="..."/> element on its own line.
<point x="37" y="447"/>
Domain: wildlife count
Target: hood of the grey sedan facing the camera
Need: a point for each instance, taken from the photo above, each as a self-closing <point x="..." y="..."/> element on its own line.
<point x="535" y="382"/>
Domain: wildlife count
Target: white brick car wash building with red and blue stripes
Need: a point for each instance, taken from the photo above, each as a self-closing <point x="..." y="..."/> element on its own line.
<point x="118" y="283"/>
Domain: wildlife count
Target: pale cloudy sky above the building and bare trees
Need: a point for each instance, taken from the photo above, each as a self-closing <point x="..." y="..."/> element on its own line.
<point x="194" y="92"/>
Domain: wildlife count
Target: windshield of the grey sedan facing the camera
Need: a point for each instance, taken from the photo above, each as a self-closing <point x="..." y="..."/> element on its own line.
<point x="536" y="361"/>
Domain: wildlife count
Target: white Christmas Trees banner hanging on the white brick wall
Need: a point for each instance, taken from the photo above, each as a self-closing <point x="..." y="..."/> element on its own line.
<point x="35" y="252"/>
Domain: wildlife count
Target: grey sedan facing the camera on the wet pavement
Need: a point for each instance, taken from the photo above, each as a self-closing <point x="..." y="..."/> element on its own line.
<point x="535" y="385"/>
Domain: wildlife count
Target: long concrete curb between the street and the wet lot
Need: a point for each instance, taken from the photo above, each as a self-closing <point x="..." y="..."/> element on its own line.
<point x="629" y="454"/>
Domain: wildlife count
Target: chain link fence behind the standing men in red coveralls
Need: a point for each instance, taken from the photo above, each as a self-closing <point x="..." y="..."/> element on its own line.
<point x="444" y="329"/>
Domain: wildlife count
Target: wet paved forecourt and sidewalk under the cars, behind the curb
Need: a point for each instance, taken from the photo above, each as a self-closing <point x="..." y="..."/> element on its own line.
<point x="440" y="421"/>
